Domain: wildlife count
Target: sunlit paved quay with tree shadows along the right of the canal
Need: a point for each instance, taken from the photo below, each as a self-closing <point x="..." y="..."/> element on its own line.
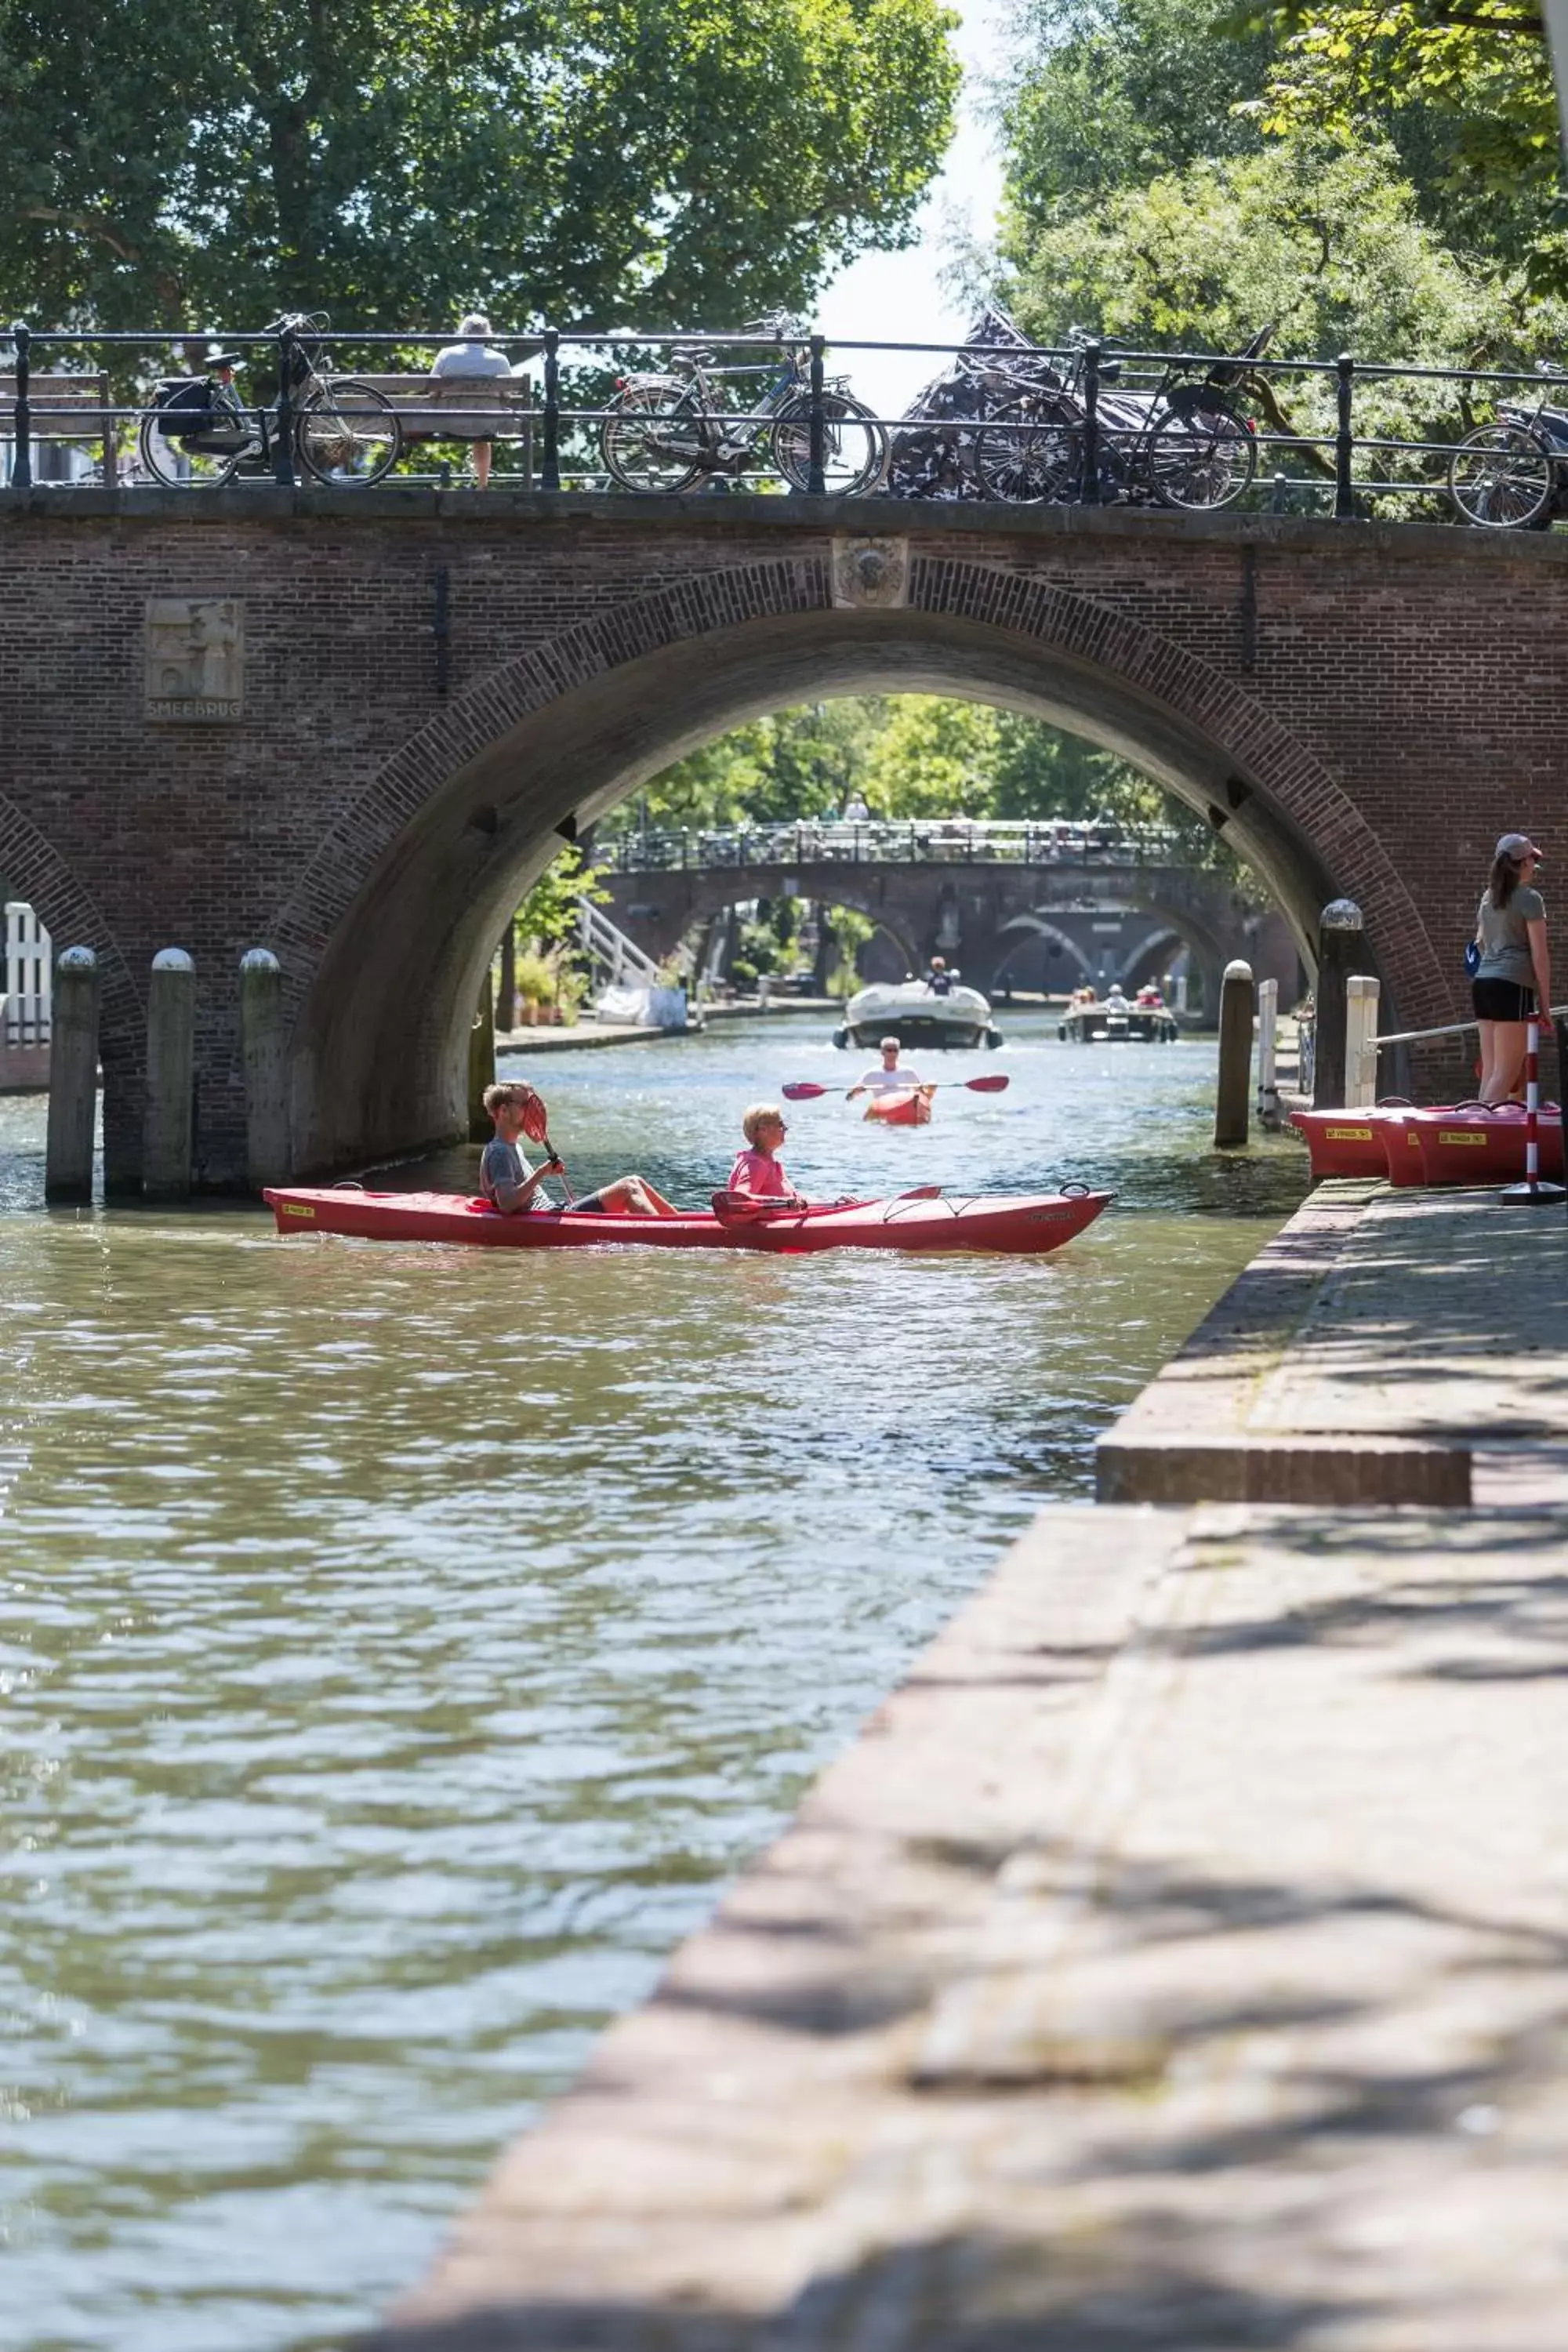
<point x="1181" y="1956"/>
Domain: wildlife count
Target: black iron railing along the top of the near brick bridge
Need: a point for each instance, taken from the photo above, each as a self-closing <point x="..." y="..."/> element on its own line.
<point x="760" y="410"/>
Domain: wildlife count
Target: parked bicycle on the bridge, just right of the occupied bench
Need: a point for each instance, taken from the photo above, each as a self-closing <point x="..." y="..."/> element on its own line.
<point x="676" y="429"/>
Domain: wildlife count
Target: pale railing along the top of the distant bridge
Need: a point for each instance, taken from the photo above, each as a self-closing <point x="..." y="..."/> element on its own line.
<point x="949" y="841"/>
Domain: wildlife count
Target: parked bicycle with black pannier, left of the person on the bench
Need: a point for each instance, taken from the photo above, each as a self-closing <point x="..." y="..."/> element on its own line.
<point x="199" y="434"/>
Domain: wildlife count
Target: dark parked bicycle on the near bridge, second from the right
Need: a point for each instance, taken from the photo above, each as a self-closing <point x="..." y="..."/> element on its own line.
<point x="1186" y="443"/>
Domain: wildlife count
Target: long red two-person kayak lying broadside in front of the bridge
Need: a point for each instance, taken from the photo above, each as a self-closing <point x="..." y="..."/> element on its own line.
<point x="1017" y="1224"/>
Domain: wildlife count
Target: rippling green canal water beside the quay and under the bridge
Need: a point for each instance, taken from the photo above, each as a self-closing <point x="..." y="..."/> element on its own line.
<point x="401" y="1648"/>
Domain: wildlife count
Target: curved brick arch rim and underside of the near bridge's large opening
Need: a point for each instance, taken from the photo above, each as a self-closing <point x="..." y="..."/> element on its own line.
<point x="391" y="926"/>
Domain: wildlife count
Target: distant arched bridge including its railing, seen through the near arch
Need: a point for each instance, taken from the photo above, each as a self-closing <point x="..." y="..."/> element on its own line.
<point x="974" y="893"/>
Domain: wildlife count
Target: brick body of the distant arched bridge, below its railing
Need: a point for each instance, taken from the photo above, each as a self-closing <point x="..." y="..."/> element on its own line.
<point x="974" y="911"/>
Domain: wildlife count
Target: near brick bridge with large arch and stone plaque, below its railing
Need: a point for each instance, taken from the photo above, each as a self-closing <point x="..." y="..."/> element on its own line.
<point x="431" y="683"/>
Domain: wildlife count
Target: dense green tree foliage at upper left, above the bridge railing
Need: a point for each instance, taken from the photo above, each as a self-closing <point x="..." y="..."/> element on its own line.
<point x="619" y="161"/>
